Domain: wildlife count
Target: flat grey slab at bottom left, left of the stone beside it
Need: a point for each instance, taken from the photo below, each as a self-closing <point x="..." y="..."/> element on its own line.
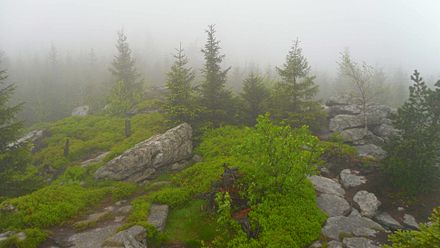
<point x="92" y="238"/>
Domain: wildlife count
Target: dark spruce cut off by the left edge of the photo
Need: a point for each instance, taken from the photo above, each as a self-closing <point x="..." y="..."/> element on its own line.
<point x="9" y="127"/>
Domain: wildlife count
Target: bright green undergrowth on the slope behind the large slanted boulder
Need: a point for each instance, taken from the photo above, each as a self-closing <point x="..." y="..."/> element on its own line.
<point x="90" y="135"/>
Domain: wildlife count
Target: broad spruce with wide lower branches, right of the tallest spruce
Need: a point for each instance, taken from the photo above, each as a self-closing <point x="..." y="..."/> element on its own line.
<point x="293" y="96"/>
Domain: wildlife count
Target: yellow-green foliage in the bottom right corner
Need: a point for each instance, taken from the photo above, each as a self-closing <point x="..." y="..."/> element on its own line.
<point x="427" y="237"/>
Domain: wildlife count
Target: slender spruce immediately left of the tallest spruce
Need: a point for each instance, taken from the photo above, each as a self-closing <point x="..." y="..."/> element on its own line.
<point x="180" y="105"/>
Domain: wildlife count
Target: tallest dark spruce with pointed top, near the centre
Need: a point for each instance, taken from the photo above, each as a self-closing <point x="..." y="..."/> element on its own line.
<point x="215" y="99"/>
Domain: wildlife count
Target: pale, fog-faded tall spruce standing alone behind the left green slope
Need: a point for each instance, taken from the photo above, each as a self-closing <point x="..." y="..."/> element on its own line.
<point x="127" y="88"/>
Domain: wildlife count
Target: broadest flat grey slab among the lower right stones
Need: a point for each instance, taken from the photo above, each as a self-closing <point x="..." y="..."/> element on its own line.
<point x="352" y="225"/>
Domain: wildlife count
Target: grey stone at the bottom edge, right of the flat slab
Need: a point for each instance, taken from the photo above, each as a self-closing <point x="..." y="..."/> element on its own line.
<point x="134" y="236"/>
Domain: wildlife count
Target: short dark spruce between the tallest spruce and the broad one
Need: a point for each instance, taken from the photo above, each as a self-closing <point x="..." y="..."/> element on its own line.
<point x="254" y="97"/>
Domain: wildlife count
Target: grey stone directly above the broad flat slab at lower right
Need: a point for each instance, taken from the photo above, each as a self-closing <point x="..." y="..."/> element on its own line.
<point x="333" y="205"/>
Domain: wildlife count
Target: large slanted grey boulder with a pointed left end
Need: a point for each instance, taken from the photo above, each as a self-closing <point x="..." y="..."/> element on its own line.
<point x="151" y="156"/>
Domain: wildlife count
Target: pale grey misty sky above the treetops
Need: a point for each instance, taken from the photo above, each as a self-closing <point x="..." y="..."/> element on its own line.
<point x="390" y="33"/>
